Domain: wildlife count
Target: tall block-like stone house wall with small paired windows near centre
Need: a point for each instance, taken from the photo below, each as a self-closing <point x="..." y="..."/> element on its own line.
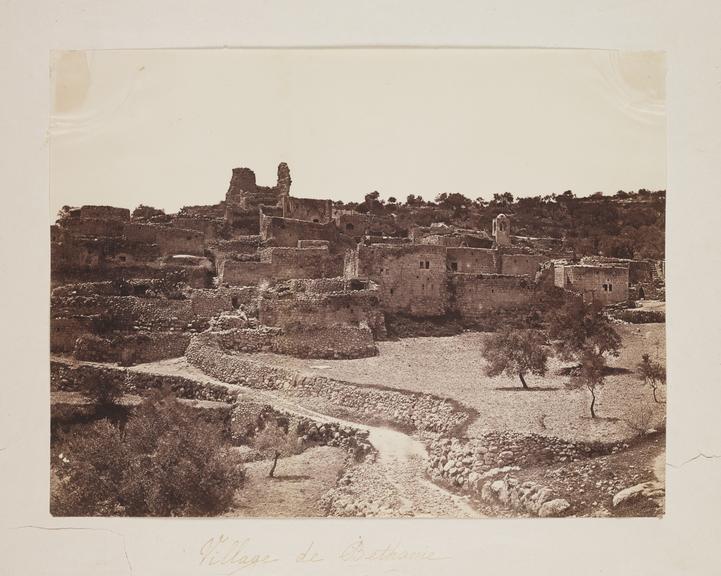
<point x="412" y="278"/>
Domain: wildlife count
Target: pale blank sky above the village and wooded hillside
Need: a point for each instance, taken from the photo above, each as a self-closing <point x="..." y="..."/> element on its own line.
<point x="165" y="128"/>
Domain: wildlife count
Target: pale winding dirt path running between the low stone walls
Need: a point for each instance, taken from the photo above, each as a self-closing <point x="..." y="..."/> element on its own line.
<point x="397" y="476"/>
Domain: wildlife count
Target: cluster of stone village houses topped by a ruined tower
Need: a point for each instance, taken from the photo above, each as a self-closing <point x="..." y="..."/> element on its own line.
<point x="294" y="276"/>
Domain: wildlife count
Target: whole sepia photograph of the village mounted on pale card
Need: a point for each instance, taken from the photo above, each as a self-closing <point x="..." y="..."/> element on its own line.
<point x="362" y="283"/>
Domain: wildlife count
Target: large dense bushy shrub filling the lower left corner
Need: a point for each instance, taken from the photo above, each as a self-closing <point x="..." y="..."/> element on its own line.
<point x="165" y="462"/>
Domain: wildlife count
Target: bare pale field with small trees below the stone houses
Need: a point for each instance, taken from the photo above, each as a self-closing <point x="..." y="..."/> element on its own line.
<point x="452" y="367"/>
